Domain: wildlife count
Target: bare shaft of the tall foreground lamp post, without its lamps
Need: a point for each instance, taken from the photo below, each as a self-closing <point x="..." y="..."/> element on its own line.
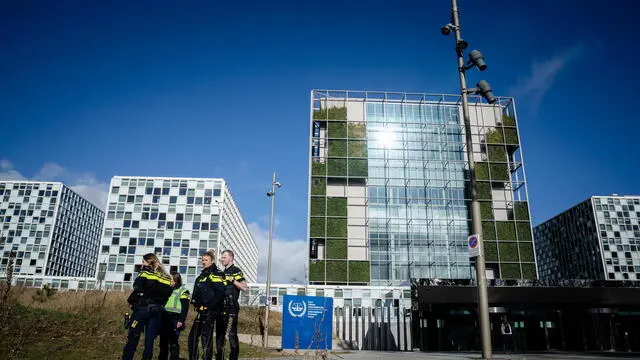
<point x="483" y="303"/>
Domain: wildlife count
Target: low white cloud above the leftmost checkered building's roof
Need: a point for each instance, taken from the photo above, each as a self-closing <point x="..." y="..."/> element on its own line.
<point x="85" y="184"/>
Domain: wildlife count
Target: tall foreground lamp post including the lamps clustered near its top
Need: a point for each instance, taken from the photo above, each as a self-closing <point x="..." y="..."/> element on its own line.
<point x="475" y="60"/>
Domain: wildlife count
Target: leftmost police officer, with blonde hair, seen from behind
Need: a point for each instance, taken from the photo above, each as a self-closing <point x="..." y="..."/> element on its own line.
<point x="151" y="289"/>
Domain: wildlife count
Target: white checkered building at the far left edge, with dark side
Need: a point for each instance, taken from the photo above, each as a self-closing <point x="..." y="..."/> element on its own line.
<point x="52" y="230"/>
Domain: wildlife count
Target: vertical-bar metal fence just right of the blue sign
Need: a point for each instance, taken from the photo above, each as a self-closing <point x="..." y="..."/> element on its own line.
<point x="372" y="328"/>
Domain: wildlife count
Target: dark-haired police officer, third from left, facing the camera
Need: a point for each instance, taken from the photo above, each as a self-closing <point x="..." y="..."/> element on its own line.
<point x="207" y="299"/>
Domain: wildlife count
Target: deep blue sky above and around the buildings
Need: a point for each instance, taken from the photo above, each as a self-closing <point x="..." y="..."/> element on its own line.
<point x="89" y="90"/>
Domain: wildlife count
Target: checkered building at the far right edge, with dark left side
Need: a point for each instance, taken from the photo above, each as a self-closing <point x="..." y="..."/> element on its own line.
<point x="598" y="239"/>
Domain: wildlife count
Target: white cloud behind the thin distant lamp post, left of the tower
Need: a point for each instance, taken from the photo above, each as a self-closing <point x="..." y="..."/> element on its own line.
<point x="287" y="257"/>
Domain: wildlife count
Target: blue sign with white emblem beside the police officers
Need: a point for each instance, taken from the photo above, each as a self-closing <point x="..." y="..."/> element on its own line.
<point x="307" y="322"/>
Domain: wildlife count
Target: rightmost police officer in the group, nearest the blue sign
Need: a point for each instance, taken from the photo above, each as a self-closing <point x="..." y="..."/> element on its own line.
<point x="227" y="321"/>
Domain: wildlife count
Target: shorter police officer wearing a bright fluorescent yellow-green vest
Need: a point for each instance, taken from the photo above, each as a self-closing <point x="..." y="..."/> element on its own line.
<point x="173" y="319"/>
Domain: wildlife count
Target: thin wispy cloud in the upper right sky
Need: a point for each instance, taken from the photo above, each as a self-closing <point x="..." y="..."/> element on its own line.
<point x="533" y="87"/>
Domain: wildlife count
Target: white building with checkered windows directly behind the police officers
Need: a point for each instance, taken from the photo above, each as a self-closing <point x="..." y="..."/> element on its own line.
<point x="176" y="218"/>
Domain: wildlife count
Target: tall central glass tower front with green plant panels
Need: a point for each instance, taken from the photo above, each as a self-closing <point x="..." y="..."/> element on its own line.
<point x="389" y="197"/>
